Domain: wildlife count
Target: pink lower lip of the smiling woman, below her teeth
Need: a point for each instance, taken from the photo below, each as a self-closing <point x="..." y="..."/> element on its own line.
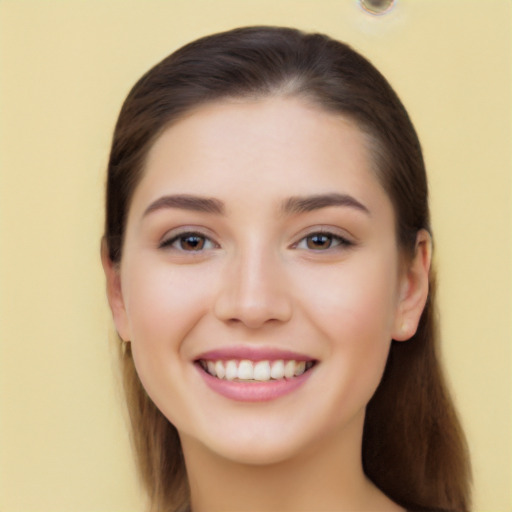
<point x="254" y="391"/>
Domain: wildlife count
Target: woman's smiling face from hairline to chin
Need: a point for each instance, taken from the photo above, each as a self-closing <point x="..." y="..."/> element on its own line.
<point x="260" y="284"/>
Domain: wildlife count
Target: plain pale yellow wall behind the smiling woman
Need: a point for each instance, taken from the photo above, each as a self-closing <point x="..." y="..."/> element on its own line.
<point x="65" y="67"/>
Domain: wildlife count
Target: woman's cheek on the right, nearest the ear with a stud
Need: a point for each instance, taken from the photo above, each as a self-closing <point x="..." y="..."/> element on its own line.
<point x="354" y="311"/>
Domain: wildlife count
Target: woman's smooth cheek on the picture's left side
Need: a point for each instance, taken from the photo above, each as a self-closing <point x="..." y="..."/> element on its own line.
<point x="163" y="305"/>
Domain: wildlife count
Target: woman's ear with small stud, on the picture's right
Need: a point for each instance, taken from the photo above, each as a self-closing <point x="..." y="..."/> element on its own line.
<point x="413" y="289"/>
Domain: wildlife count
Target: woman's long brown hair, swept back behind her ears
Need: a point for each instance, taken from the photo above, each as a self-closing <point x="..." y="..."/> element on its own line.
<point x="414" y="449"/>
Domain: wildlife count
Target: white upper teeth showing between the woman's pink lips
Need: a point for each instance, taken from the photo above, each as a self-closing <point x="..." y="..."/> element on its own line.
<point x="255" y="370"/>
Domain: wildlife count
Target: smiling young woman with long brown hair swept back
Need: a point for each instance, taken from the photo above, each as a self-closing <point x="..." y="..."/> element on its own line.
<point x="267" y="252"/>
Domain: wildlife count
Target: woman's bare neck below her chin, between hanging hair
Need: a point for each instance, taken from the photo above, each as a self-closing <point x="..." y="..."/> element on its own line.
<point x="328" y="476"/>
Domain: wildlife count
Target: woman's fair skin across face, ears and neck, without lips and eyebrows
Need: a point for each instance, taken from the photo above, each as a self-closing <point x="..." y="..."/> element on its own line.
<point x="260" y="280"/>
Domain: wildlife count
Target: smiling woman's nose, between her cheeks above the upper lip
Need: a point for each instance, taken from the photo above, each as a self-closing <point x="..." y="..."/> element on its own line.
<point x="254" y="291"/>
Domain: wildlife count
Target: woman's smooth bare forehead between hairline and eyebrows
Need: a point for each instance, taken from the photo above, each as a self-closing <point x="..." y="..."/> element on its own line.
<point x="268" y="148"/>
